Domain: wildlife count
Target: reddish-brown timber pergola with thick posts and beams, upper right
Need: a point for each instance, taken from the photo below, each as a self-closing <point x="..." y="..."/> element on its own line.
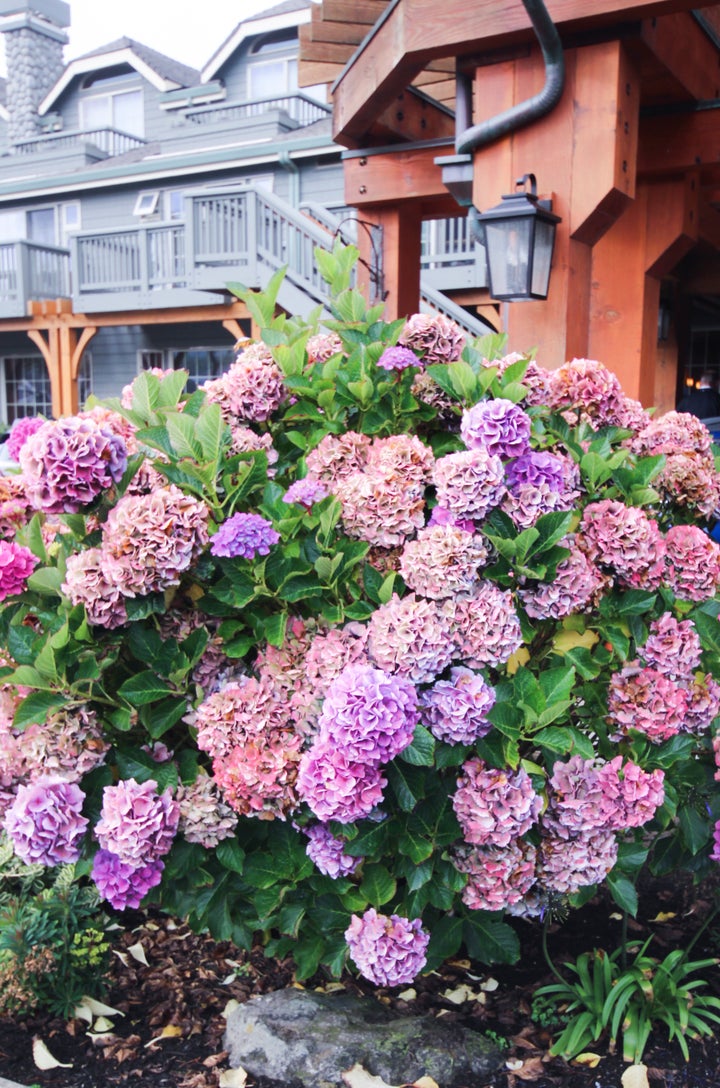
<point x="630" y="156"/>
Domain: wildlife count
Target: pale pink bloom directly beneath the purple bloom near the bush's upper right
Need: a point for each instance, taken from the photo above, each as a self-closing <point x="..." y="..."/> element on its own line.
<point x="469" y="485"/>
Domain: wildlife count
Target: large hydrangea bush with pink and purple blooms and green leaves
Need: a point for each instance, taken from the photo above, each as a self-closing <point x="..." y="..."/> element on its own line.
<point x="371" y="647"/>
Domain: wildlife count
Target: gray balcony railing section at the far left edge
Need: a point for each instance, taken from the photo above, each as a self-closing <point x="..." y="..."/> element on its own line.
<point x="29" y="270"/>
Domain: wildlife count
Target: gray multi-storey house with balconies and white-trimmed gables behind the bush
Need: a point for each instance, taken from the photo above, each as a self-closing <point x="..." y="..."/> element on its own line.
<point x="133" y="189"/>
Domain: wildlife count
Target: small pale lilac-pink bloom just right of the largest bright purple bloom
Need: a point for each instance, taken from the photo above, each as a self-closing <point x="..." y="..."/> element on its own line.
<point x="456" y="711"/>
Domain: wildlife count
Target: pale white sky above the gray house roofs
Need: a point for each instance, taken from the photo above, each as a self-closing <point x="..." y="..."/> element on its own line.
<point x="189" y="31"/>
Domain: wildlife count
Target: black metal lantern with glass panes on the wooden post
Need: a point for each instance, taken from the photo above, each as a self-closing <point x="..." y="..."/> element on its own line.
<point x="519" y="237"/>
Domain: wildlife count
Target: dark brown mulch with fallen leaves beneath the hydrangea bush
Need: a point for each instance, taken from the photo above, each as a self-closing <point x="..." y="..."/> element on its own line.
<point x="172" y="1033"/>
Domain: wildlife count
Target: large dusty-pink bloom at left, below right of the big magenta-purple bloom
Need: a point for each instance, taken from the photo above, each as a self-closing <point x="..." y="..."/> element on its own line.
<point x="150" y="541"/>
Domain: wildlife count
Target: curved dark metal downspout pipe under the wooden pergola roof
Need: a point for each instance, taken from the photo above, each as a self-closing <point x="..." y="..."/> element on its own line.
<point x="524" y="114"/>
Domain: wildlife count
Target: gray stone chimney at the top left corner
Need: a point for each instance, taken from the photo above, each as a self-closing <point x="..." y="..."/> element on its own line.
<point x="34" y="38"/>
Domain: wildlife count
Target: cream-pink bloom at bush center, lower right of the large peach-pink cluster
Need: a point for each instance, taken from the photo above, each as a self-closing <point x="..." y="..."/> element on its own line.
<point x="443" y="562"/>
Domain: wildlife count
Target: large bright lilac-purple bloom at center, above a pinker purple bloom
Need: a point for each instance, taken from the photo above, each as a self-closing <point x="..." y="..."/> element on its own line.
<point x="369" y="714"/>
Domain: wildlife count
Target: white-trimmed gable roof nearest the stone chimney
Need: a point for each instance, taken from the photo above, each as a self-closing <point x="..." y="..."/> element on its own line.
<point x="163" y="72"/>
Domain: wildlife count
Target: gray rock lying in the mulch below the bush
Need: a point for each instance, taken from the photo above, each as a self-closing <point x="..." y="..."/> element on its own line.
<point x="299" y="1037"/>
